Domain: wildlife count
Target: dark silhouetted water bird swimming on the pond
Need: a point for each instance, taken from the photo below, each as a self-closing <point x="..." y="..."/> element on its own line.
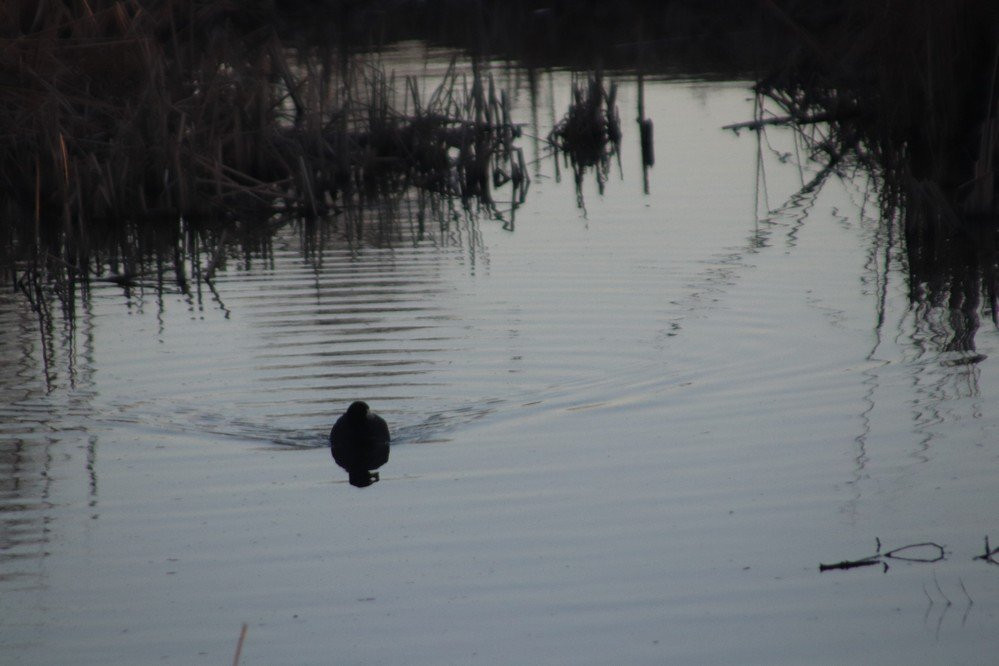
<point x="359" y="442"/>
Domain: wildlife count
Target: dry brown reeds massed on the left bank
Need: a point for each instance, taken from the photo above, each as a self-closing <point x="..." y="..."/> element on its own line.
<point x="141" y="140"/>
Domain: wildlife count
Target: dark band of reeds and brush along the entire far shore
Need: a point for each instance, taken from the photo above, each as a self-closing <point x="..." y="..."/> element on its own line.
<point x="140" y="132"/>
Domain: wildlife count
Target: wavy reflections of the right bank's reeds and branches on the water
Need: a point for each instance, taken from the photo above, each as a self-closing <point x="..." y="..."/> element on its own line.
<point x="934" y="337"/>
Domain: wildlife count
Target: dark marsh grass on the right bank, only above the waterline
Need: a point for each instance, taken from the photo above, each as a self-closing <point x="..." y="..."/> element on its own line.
<point x="908" y="88"/>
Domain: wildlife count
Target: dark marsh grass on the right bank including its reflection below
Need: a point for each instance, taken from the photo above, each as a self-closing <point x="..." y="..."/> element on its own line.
<point x="907" y="91"/>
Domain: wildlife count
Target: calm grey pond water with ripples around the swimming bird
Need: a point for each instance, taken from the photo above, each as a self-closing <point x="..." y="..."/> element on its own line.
<point x="624" y="434"/>
